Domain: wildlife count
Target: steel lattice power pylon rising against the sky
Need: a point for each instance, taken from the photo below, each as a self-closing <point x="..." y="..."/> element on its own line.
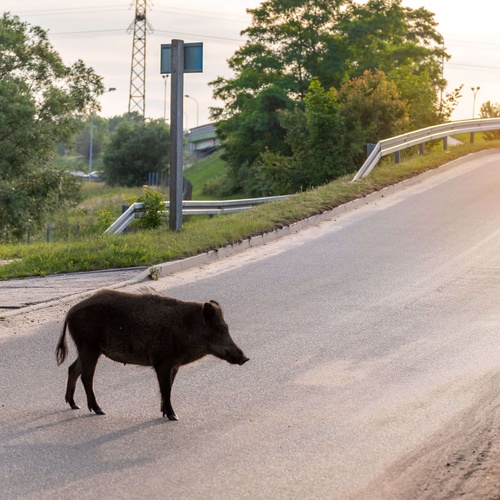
<point x="140" y="27"/>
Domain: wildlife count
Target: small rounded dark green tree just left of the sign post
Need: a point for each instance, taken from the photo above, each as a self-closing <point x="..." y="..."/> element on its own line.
<point x="135" y="150"/>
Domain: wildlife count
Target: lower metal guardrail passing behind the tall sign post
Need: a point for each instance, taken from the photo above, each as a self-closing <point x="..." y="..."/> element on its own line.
<point x="190" y="207"/>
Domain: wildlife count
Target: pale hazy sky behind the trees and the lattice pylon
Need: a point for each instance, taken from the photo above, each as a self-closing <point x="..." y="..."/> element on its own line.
<point x="96" y="32"/>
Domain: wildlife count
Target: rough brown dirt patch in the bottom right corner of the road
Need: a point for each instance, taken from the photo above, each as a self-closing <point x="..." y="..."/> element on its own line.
<point x="461" y="461"/>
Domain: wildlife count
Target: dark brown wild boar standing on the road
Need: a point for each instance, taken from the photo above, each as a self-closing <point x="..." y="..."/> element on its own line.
<point x="143" y="329"/>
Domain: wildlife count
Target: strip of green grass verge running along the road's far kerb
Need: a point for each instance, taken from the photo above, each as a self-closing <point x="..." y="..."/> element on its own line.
<point x="201" y="234"/>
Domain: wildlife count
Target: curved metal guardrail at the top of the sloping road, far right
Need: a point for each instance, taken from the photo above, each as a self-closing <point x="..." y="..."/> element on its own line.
<point x="400" y="142"/>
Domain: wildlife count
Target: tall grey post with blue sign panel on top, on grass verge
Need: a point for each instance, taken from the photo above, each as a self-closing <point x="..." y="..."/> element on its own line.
<point x="178" y="58"/>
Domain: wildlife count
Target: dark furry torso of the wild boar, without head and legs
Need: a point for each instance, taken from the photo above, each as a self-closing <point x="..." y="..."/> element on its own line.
<point x="137" y="329"/>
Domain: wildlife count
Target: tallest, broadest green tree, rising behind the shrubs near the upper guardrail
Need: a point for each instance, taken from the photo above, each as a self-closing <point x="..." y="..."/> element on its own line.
<point x="292" y="42"/>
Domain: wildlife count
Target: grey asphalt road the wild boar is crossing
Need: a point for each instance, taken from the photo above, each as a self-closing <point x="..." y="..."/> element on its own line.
<point x="372" y="338"/>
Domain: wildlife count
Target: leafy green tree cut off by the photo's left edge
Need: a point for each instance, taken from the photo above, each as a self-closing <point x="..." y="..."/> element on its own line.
<point x="40" y="98"/>
